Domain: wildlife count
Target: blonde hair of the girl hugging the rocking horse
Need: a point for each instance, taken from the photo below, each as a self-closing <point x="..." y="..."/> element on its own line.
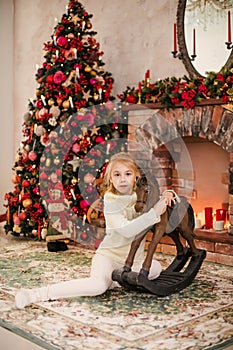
<point x="121" y="157"/>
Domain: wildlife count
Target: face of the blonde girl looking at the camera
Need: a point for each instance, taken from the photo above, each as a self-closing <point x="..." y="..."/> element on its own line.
<point x="123" y="178"/>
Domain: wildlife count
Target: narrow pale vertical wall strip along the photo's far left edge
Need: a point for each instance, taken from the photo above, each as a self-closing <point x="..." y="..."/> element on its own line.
<point x="6" y="98"/>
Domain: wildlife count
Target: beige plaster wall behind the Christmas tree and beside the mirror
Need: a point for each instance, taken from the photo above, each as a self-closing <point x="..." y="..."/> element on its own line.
<point x="135" y="35"/>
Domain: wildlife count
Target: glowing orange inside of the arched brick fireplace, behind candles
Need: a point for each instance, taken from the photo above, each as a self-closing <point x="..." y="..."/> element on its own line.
<point x="210" y="176"/>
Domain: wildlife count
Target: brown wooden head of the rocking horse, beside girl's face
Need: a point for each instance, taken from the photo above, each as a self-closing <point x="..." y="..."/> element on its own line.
<point x="147" y="193"/>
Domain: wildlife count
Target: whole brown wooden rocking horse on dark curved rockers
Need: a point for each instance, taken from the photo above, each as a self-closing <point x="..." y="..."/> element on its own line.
<point x="172" y="279"/>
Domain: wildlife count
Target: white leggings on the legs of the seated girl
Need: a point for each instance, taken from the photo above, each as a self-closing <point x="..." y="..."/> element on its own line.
<point x="99" y="281"/>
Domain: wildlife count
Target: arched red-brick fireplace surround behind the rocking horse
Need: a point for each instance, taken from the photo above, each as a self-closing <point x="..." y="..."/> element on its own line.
<point x="210" y="121"/>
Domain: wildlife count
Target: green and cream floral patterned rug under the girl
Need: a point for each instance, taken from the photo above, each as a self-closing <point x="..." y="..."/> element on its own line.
<point x="199" y="317"/>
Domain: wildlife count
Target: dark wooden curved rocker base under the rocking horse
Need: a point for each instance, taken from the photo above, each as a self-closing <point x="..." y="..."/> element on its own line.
<point x="171" y="280"/>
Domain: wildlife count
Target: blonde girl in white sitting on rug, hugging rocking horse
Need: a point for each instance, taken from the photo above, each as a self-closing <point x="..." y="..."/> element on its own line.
<point x="122" y="225"/>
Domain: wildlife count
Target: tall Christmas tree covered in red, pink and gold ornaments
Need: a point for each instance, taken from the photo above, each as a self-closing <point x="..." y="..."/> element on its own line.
<point x="71" y="128"/>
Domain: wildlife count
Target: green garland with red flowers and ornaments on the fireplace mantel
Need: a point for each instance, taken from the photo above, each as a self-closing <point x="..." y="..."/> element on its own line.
<point x="186" y="91"/>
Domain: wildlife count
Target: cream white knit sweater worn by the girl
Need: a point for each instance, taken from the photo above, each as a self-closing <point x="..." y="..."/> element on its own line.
<point x="123" y="224"/>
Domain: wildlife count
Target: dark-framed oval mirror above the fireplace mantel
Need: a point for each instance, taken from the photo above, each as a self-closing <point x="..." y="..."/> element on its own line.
<point x="207" y="21"/>
